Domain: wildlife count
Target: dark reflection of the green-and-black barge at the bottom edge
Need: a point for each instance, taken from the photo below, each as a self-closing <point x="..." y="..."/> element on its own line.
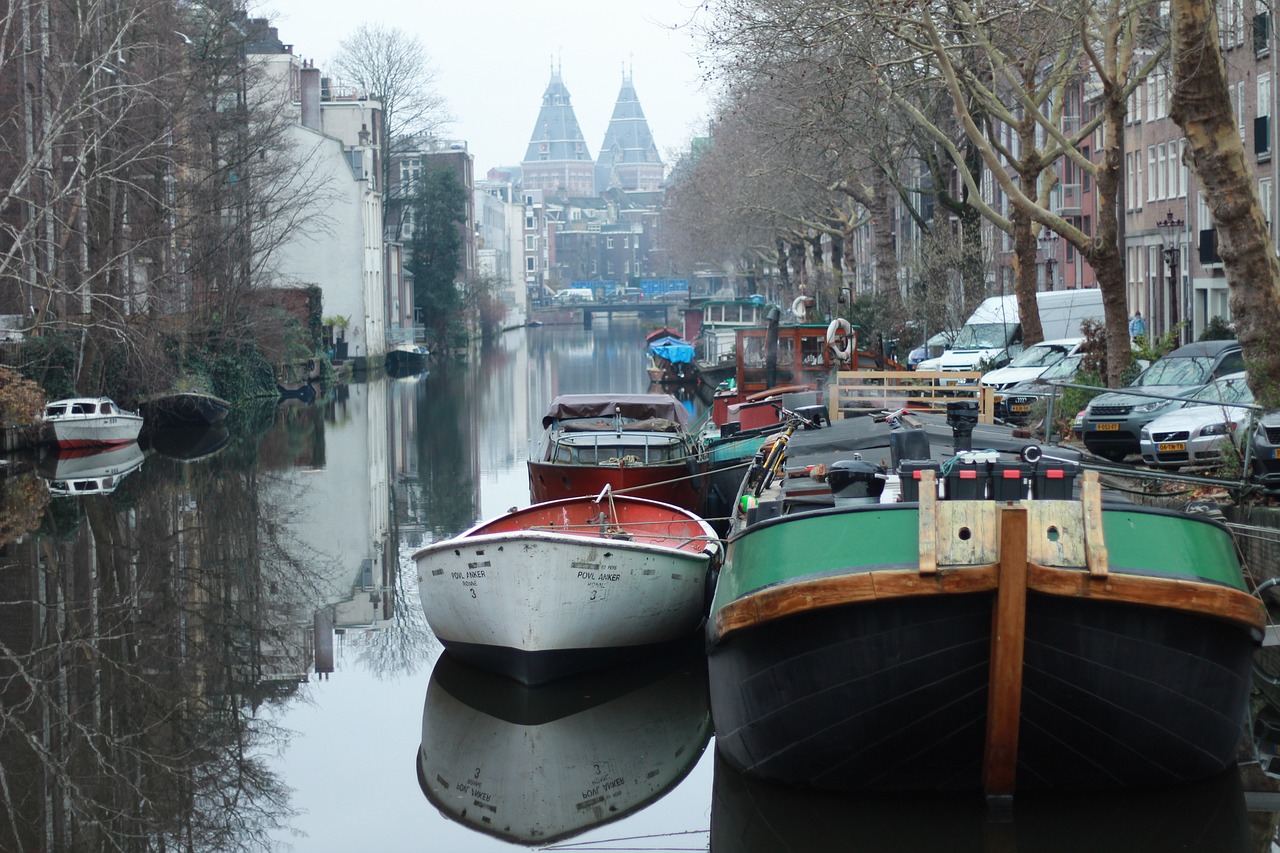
<point x="749" y="816"/>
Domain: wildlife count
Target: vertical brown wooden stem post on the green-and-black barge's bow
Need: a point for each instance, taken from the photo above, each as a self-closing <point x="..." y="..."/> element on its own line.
<point x="1008" y="638"/>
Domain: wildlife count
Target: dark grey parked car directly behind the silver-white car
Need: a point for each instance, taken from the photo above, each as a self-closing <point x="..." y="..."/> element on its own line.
<point x="1114" y="422"/>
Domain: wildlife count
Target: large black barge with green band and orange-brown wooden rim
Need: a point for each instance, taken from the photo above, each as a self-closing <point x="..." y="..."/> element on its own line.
<point x="994" y="632"/>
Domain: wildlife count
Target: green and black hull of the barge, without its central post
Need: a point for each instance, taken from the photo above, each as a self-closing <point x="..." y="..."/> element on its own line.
<point x="825" y="676"/>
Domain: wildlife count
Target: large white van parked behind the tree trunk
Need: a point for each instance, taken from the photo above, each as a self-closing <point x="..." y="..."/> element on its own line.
<point x="994" y="335"/>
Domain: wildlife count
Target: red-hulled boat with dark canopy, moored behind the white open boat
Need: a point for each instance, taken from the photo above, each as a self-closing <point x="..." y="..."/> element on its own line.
<point x="638" y="445"/>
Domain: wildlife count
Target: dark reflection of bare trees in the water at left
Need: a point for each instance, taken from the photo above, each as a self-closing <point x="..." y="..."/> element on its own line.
<point x="141" y="633"/>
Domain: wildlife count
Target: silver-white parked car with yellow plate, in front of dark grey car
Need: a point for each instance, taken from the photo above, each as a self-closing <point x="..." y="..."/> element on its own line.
<point x="1195" y="434"/>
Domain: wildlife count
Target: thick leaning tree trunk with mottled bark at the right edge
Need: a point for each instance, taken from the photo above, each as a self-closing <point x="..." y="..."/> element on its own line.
<point x="1203" y="110"/>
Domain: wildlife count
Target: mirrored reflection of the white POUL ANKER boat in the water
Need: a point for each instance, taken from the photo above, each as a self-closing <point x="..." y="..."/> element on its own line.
<point x="532" y="765"/>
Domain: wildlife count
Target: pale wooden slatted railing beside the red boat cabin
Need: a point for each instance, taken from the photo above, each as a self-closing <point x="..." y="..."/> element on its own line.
<point x="921" y="390"/>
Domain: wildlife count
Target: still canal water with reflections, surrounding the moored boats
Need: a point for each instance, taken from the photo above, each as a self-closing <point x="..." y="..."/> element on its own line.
<point x="227" y="653"/>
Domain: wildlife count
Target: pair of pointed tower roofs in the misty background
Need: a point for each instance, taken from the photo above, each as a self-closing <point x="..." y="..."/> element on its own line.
<point x="557" y="159"/>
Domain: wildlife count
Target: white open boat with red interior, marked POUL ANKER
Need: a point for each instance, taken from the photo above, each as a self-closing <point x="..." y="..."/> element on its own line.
<point x="569" y="586"/>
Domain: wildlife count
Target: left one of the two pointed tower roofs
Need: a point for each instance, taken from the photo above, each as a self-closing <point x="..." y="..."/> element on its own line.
<point x="557" y="161"/>
